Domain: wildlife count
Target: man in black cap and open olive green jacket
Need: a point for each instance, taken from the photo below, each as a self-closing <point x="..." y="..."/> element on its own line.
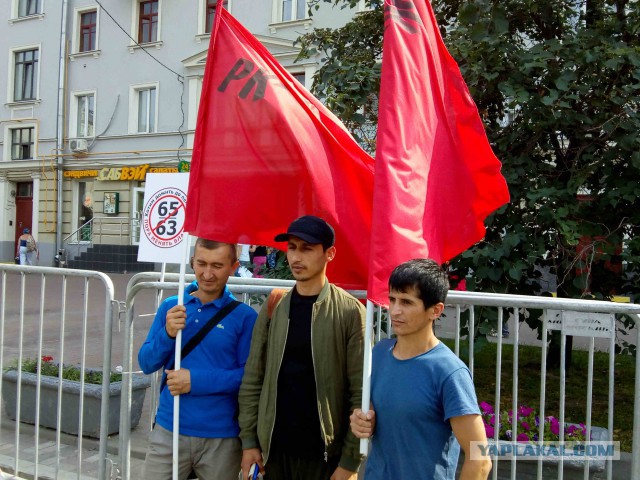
<point x="303" y="377"/>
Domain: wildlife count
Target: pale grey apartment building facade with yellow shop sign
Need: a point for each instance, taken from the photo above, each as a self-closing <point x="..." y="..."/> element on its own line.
<point x="100" y="93"/>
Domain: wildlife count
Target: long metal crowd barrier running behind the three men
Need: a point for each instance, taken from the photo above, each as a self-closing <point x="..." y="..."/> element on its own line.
<point x="457" y="302"/>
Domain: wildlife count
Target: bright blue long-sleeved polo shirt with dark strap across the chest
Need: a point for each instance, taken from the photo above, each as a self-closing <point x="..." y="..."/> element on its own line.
<point x="216" y="365"/>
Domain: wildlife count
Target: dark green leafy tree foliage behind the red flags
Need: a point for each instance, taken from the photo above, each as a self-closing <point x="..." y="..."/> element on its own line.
<point x="557" y="83"/>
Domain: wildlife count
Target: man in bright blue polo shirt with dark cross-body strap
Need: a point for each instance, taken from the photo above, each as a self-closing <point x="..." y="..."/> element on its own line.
<point x="210" y="375"/>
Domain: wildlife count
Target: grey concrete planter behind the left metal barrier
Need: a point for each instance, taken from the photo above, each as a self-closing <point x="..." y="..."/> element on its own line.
<point x="70" y="402"/>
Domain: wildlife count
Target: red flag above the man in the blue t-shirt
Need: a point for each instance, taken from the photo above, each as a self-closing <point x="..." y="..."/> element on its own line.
<point x="437" y="178"/>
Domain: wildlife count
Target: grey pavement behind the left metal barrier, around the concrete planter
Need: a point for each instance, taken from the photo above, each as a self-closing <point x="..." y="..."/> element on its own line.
<point x="74" y="306"/>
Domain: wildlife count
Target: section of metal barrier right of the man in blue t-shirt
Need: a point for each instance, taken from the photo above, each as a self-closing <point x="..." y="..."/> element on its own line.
<point x="557" y="316"/>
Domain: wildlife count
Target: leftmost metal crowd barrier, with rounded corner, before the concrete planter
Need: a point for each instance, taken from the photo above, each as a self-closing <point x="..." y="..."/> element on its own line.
<point x="45" y="311"/>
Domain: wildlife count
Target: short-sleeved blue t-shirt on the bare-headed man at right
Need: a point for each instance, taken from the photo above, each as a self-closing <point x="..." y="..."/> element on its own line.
<point x="414" y="400"/>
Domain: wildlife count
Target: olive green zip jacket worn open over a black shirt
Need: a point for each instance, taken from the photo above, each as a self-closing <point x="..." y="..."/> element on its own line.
<point x="337" y="343"/>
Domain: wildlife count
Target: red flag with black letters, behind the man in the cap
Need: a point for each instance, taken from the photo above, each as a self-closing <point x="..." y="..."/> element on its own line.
<point x="266" y="151"/>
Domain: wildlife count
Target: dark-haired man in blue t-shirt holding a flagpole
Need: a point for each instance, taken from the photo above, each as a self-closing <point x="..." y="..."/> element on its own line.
<point x="424" y="398"/>
